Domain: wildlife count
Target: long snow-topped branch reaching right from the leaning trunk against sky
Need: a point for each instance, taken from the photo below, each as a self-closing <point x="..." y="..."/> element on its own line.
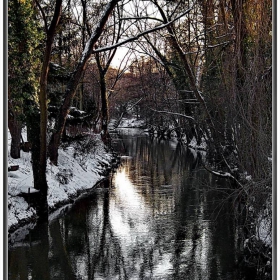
<point x="131" y="39"/>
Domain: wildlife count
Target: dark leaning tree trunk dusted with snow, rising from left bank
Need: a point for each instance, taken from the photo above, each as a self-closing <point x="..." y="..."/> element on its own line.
<point x="73" y="83"/>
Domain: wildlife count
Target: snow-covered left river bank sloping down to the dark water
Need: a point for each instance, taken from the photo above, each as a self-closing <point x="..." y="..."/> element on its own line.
<point x="80" y="167"/>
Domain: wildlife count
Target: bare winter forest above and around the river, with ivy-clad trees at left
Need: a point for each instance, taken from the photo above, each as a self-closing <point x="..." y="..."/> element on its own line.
<point x="196" y="70"/>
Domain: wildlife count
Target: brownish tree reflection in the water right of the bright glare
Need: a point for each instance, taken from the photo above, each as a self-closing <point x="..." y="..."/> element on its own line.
<point x="156" y="167"/>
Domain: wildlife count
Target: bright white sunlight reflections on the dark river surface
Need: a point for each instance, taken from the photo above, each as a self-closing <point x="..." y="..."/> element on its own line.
<point x="133" y="222"/>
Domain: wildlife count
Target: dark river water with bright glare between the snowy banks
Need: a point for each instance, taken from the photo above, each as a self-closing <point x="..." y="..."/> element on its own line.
<point x="157" y="217"/>
